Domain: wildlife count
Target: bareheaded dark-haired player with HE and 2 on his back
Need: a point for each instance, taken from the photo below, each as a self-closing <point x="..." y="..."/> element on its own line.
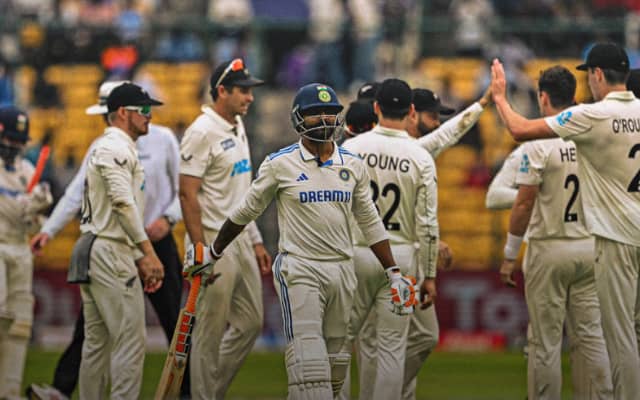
<point x="558" y="265"/>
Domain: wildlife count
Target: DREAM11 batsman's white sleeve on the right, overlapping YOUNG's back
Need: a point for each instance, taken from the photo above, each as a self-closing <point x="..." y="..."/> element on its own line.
<point x="365" y="211"/>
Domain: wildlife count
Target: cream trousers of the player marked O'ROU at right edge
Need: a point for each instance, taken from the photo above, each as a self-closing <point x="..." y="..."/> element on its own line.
<point x="617" y="268"/>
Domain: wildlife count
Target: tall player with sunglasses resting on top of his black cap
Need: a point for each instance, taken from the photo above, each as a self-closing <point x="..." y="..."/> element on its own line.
<point x="215" y="174"/>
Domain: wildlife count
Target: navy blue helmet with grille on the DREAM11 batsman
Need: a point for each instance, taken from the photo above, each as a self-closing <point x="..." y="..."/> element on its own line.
<point x="316" y="99"/>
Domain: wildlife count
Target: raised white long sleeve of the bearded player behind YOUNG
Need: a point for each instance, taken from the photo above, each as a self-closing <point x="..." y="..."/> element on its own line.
<point x="451" y="131"/>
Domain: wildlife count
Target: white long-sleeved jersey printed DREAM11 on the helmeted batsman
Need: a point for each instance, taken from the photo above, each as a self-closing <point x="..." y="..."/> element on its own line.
<point x="315" y="202"/>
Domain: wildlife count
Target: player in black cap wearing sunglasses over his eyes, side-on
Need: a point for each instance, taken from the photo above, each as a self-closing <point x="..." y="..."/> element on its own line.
<point x="114" y="250"/>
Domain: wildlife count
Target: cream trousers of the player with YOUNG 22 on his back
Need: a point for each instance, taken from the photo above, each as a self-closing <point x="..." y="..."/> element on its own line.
<point x="381" y="334"/>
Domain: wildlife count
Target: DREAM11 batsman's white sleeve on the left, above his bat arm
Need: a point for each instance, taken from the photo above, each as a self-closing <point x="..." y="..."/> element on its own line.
<point x="259" y="196"/>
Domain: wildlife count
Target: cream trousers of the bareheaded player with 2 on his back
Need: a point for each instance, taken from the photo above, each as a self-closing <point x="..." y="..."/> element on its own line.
<point x="559" y="286"/>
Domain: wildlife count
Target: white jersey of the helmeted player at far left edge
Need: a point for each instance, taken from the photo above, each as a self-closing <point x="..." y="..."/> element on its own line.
<point x="13" y="185"/>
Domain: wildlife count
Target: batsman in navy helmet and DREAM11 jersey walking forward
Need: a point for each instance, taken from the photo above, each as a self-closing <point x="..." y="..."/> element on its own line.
<point x="318" y="187"/>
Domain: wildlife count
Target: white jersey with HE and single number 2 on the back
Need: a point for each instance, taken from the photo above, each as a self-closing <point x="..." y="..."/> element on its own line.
<point x="552" y="165"/>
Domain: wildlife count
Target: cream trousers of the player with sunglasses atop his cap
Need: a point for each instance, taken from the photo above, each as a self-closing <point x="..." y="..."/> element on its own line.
<point x="234" y="300"/>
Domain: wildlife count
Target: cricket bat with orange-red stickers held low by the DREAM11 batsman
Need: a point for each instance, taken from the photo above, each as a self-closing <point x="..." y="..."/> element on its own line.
<point x="176" y="362"/>
